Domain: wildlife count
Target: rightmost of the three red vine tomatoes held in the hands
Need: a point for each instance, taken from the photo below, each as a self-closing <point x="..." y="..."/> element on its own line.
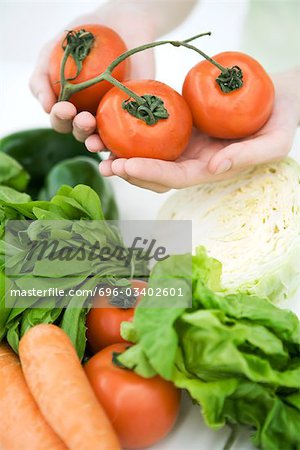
<point x="233" y="115"/>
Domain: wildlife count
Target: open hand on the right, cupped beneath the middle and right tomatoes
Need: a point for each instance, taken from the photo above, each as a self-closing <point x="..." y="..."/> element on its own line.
<point x="208" y="160"/>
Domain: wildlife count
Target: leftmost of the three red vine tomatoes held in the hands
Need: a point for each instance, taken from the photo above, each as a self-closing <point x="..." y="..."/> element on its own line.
<point x="107" y="46"/>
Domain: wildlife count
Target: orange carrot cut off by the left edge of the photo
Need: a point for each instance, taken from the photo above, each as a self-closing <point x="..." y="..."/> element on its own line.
<point x="22" y="426"/>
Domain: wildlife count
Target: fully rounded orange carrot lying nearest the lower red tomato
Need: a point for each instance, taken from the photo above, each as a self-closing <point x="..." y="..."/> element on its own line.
<point x="62" y="391"/>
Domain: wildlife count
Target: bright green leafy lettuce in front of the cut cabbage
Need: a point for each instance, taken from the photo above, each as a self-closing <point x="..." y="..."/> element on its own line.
<point x="237" y="355"/>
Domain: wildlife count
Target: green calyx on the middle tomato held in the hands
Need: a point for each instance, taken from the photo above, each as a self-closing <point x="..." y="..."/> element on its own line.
<point x="151" y="111"/>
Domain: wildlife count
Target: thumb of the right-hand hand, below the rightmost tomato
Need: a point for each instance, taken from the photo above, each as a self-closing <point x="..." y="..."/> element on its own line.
<point x="259" y="150"/>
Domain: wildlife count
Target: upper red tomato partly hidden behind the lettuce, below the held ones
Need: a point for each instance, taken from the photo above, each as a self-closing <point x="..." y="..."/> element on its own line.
<point x="104" y="320"/>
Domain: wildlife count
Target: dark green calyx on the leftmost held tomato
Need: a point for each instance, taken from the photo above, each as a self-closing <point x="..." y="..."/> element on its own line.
<point x="78" y="45"/>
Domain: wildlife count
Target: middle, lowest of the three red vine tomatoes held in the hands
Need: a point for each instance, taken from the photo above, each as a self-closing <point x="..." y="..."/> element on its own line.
<point x="127" y="136"/>
